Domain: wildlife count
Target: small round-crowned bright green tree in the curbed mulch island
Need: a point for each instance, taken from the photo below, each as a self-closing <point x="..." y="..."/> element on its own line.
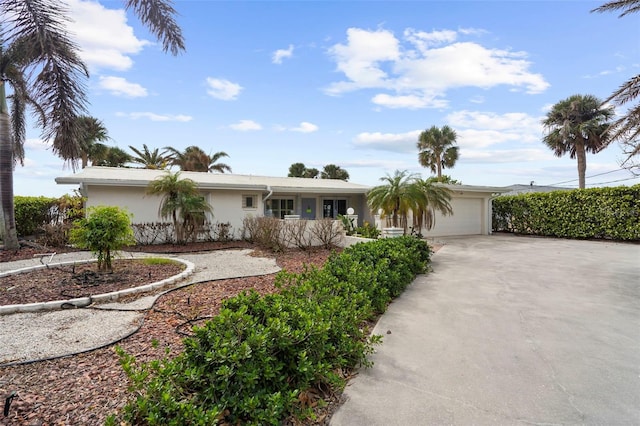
<point x="105" y="230"/>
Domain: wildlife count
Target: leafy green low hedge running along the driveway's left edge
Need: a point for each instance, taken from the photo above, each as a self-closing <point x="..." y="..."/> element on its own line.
<point x="255" y="361"/>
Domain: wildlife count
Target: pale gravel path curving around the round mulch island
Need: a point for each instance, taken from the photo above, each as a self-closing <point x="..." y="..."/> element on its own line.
<point x="43" y="335"/>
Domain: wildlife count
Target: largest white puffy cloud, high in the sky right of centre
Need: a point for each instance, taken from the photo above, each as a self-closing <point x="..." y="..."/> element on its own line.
<point x="418" y="70"/>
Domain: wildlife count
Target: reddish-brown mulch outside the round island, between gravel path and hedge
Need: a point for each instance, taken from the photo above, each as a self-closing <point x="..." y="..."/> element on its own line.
<point x="85" y="389"/>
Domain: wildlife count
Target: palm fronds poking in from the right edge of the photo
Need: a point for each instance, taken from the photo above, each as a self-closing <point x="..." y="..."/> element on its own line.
<point x="626" y="128"/>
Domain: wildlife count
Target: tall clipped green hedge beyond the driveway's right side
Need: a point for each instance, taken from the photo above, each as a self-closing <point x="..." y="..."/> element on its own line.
<point x="606" y="213"/>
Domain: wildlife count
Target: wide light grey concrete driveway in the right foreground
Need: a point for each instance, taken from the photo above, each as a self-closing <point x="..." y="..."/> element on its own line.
<point x="509" y="330"/>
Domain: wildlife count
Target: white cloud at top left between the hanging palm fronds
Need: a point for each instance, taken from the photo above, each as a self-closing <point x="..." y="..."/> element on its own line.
<point x="103" y="35"/>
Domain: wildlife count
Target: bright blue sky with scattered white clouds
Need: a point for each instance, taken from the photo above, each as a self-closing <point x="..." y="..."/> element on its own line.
<point x="351" y="83"/>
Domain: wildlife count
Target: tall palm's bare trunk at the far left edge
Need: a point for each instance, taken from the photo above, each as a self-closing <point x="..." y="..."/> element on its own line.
<point x="10" y="236"/>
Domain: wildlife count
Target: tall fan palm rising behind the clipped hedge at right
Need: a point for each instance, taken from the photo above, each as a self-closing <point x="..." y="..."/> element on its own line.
<point x="577" y="125"/>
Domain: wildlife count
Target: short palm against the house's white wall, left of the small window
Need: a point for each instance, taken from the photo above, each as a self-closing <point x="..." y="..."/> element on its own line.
<point x="180" y="198"/>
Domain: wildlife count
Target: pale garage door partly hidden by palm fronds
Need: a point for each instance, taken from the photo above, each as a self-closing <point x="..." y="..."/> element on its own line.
<point x="466" y="220"/>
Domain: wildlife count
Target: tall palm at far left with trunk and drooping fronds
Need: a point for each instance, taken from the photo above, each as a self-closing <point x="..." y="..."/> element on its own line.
<point x="41" y="64"/>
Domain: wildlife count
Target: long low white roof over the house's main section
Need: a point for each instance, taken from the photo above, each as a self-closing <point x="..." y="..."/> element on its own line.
<point x="121" y="176"/>
